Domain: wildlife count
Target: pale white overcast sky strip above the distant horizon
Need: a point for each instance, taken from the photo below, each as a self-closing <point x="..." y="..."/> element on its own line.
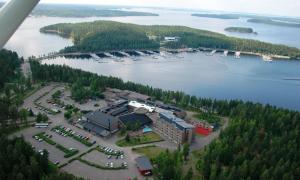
<point x="275" y="7"/>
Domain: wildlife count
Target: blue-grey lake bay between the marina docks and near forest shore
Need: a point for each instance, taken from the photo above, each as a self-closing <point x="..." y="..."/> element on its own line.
<point x="248" y="78"/>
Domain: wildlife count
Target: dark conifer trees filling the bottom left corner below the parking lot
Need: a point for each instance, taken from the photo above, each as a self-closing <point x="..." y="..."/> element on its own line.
<point x="19" y="161"/>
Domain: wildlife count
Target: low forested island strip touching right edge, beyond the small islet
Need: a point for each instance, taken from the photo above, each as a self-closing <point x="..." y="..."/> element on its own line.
<point x="275" y="22"/>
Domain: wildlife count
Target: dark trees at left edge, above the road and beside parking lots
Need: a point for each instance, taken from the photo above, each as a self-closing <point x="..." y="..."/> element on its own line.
<point x="13" y="86"/>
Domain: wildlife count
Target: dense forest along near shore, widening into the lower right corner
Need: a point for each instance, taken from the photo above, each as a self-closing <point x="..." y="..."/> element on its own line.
<point x="261" y="141"/>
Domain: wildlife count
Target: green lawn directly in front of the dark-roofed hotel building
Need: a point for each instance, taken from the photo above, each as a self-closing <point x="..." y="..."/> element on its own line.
<point x="137" y="140"/>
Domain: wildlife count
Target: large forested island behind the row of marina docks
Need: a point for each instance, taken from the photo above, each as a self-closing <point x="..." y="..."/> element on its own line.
<point x="108" y="35"/>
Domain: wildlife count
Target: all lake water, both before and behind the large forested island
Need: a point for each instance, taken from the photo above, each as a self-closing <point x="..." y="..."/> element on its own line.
<point x="248" y="78"/>
